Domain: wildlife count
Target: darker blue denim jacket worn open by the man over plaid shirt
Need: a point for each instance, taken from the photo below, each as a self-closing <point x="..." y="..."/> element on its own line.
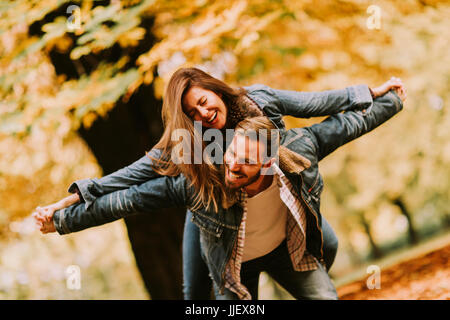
<point x="218" y="230"/>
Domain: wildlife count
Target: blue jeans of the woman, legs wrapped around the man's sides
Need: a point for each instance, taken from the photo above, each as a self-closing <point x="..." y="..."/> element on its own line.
<point x="197" y="284"/>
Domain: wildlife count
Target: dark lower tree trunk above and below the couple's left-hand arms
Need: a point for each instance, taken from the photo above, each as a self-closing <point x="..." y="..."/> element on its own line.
<point x="156" y="238"/>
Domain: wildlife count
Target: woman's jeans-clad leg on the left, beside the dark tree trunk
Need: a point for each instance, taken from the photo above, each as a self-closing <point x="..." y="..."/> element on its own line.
<point x="196" y="280"/>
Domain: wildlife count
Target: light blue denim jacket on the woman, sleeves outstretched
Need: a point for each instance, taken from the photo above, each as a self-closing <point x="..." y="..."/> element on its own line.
<point x="274" y="104"/>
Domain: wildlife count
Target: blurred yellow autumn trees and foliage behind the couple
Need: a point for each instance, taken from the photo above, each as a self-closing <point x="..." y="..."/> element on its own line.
<point x="81" y="84"/>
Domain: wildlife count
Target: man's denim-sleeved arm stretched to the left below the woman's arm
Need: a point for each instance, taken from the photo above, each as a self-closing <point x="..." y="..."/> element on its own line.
<point x="162" y="192"/>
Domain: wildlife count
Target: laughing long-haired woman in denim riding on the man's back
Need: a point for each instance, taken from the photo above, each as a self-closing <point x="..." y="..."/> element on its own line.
<point x="193" y="95"/>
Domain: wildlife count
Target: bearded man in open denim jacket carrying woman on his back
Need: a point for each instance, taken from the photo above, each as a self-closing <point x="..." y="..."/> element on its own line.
<point x="233" y="244"/>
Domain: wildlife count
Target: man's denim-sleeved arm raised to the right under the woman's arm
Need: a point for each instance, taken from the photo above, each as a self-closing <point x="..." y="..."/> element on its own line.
<point x="342" y="128"/>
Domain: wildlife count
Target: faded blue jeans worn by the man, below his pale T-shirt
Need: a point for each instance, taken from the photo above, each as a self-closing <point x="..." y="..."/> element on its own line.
<point x="305" y="285"/>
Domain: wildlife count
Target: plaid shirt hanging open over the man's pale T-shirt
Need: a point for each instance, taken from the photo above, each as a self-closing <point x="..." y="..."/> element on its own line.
<point x="301" y="259"/>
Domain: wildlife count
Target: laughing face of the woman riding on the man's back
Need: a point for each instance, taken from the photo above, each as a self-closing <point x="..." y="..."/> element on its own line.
<point x="205" y="106"/>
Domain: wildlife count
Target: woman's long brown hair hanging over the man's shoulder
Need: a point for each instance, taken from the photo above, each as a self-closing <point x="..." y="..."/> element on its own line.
<point x="206" y="178"/>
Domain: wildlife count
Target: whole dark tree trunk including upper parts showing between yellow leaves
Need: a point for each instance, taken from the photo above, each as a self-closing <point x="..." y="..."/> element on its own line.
<point x="127" y="131"/>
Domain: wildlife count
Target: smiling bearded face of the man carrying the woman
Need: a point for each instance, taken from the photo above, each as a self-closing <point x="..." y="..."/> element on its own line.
<point x="243" y="162"/>
